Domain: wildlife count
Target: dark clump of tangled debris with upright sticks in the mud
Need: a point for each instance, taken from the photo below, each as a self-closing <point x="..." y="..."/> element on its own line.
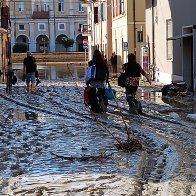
<point x="131" y="145"/>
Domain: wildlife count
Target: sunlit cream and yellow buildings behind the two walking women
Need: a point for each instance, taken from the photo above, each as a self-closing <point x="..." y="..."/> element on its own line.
<point x="114" y="25"/>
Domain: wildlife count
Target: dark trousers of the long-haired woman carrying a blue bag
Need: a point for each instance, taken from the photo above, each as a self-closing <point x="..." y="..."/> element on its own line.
<point x="98" y="100"/>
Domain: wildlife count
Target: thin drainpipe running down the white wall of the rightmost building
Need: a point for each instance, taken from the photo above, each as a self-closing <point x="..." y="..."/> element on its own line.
<point x="153" y="44"/>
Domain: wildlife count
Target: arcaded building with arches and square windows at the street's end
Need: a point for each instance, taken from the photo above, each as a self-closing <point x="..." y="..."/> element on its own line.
<point x="40" y="24"/>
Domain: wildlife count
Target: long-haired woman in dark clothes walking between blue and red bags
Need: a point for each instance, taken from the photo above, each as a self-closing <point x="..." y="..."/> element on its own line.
<point x="97" y="99"/>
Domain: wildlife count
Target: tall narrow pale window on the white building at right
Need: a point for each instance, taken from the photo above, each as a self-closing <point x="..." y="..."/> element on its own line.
<point x="169" y="44"/>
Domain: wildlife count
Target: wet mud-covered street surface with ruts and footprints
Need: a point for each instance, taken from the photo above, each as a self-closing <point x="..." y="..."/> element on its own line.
<point x="45" y="135"/>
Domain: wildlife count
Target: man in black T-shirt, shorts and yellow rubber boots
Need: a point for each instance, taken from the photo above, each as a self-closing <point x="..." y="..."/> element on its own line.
<point x="29" y="70"/>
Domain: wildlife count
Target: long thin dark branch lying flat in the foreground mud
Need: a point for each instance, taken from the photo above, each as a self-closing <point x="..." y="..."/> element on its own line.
<point x="99" y="157"/>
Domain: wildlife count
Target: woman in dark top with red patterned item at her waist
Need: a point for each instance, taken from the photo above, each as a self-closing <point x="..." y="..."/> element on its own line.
<point x="133" y="71"/>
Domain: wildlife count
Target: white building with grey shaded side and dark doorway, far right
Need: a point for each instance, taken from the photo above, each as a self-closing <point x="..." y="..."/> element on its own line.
<point x="170" y="32"/>
